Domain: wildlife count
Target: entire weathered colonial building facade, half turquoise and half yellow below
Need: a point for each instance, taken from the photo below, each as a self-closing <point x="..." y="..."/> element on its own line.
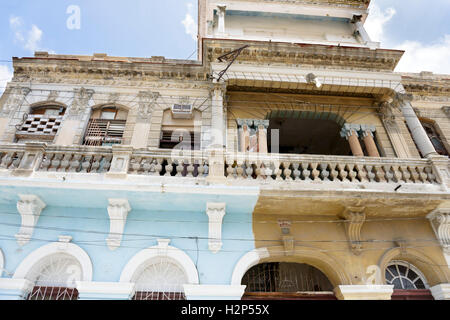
<point x="289" y="161"/>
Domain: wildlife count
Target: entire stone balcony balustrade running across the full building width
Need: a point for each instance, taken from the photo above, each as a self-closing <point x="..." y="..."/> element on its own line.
<point x="227" y="168"/>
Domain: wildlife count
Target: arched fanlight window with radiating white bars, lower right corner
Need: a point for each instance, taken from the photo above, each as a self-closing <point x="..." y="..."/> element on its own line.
<point x="409" y="283"/>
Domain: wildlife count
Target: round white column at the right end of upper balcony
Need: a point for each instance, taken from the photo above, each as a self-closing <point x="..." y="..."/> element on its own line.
<point x="417" y="131"/>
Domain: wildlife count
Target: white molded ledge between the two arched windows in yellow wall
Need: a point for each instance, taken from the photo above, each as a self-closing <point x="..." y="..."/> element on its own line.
<point x="364" y="292"/>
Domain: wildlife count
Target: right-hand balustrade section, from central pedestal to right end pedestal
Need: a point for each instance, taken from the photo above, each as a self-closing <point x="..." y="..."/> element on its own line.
<point x="328" y="169"/>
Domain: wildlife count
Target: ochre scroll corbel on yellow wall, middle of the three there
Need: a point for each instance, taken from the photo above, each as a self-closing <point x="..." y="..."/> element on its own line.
<point x="354" y="220"/>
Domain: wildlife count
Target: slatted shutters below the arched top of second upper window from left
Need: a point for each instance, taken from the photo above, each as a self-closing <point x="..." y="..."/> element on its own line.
<point x="104" y="132"/>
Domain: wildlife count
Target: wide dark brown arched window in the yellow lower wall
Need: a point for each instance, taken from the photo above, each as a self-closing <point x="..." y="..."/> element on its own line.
<point x="286" y="280"/>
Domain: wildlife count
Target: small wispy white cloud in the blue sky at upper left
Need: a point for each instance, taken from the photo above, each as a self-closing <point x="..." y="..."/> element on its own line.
<point x="28" y="40"/>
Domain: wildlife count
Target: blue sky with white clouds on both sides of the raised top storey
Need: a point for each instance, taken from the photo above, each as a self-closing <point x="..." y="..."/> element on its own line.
<point x="144" y="28"/>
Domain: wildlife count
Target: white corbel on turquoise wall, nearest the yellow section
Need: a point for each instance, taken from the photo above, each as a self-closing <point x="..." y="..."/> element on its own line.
<point x="215" y="212"/>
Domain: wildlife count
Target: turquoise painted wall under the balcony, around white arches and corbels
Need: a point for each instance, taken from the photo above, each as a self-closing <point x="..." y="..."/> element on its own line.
<point x="83" y="215"/>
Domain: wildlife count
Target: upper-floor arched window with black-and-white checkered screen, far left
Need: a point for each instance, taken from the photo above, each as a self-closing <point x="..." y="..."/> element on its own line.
<point x="41" y="123"/>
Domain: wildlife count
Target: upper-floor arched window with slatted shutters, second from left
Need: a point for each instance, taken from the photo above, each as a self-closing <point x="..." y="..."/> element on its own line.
<point x="106" y="126"/>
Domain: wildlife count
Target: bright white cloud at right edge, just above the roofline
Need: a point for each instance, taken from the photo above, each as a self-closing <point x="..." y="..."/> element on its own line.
<point x="419" y="57"/>
